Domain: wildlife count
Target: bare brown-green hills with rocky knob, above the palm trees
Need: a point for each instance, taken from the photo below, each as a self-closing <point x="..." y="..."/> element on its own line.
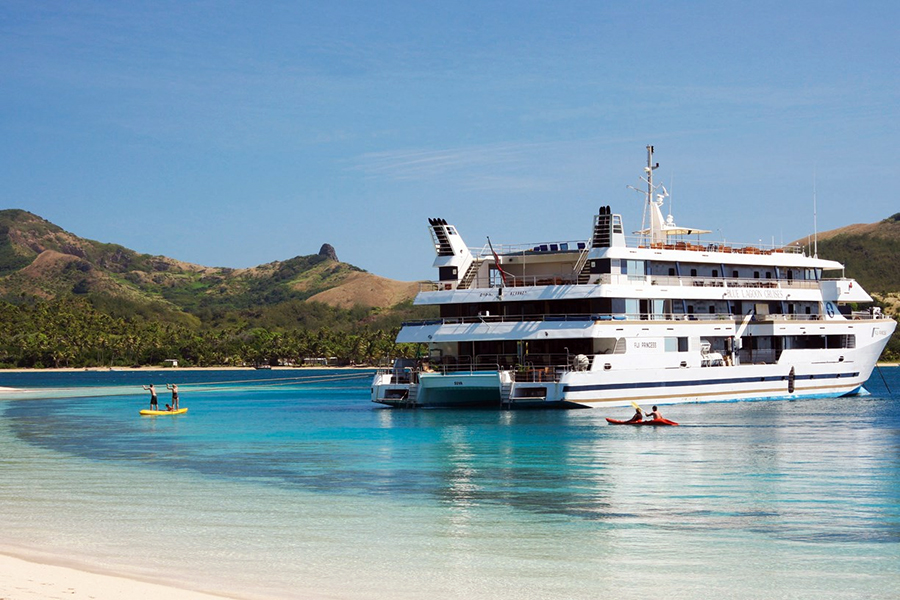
<point x="41" y="261"/>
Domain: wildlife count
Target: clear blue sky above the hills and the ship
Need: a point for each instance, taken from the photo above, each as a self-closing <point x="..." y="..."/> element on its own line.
<point x="234" y="134"/>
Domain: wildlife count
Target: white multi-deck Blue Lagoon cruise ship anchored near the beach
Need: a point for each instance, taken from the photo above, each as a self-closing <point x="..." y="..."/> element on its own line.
<point x="603" y="322"/>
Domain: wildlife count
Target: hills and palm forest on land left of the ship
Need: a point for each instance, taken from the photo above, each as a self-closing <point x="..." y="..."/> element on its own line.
<point x="70" y="301"/>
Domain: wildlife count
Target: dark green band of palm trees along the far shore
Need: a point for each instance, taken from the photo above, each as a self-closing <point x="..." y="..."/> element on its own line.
<point x="73" y="334"/>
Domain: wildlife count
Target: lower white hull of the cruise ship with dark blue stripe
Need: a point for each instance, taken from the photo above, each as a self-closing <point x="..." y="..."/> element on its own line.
<point x="797" y="374"/>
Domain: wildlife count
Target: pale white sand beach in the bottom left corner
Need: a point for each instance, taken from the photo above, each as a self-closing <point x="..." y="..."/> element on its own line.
<point x="25" y="580"/>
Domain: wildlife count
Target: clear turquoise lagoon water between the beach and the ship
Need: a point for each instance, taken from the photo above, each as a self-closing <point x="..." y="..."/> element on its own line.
<point x="276" y="488"/>
